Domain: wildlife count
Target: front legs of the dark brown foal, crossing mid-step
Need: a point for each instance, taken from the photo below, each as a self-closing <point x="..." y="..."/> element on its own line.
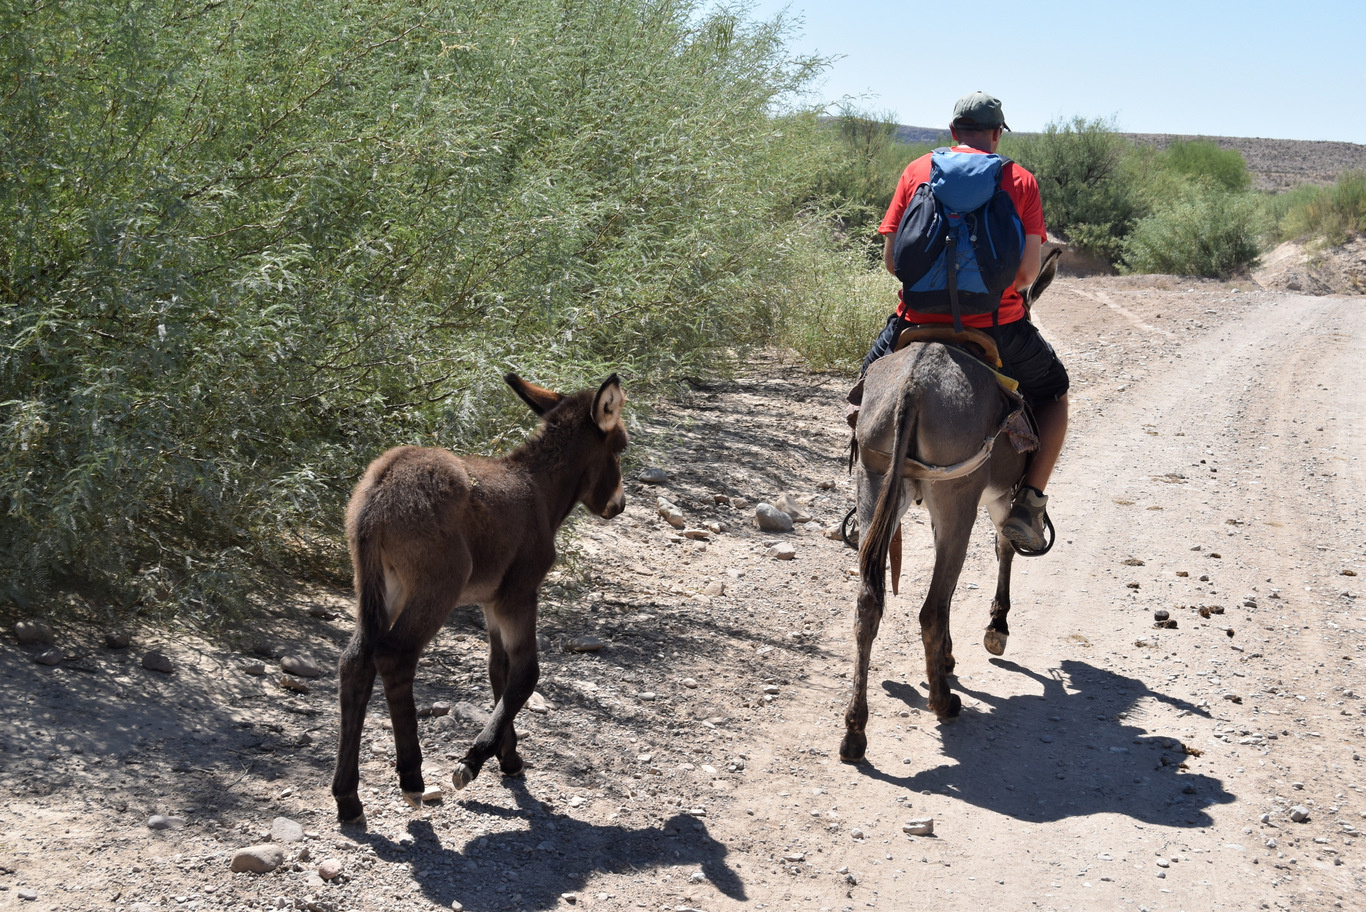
<point x="516" y="638"/>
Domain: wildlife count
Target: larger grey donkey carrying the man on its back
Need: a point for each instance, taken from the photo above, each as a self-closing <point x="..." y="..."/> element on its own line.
<point x="928" y="432"/>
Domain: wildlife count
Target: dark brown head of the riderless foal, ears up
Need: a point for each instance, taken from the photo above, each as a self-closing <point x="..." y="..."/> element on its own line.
<point x="600" y="439"/>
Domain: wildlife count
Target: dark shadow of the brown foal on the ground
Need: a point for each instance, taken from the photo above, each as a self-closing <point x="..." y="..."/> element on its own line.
<point x="531" y="869"/>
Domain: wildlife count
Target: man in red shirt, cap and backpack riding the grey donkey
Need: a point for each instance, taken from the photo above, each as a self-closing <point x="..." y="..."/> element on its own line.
<point x="961" y="298"/>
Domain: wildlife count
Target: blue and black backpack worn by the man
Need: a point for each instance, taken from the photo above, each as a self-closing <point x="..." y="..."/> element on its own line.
<point x="961" y="240"/>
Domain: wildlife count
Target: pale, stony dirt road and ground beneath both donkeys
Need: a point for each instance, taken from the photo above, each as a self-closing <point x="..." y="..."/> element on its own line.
<point x="1215" y="464"/>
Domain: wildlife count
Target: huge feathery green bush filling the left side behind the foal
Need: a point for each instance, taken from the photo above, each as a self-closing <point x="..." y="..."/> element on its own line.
<point x="252" y="245"/>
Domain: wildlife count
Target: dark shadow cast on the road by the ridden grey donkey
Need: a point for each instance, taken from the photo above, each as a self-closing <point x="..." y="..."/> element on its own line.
<point x="1072" y="752"/>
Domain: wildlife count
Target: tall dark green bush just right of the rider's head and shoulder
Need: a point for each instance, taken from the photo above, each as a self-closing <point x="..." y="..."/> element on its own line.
<point x="1091" y="196"/>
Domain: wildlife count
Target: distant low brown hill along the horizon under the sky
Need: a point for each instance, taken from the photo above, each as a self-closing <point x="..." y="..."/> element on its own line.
<point x="1275" y="165"/>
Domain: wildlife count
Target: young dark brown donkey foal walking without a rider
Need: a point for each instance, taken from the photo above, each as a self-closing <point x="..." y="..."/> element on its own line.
<point x="431" y="530"/>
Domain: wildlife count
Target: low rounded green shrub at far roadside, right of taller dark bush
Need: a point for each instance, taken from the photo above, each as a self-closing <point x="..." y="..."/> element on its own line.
<point x="1203" y="231"/>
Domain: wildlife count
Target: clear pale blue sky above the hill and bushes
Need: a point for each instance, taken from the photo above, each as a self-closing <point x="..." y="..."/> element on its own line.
<point x="1279" y="70"/>
